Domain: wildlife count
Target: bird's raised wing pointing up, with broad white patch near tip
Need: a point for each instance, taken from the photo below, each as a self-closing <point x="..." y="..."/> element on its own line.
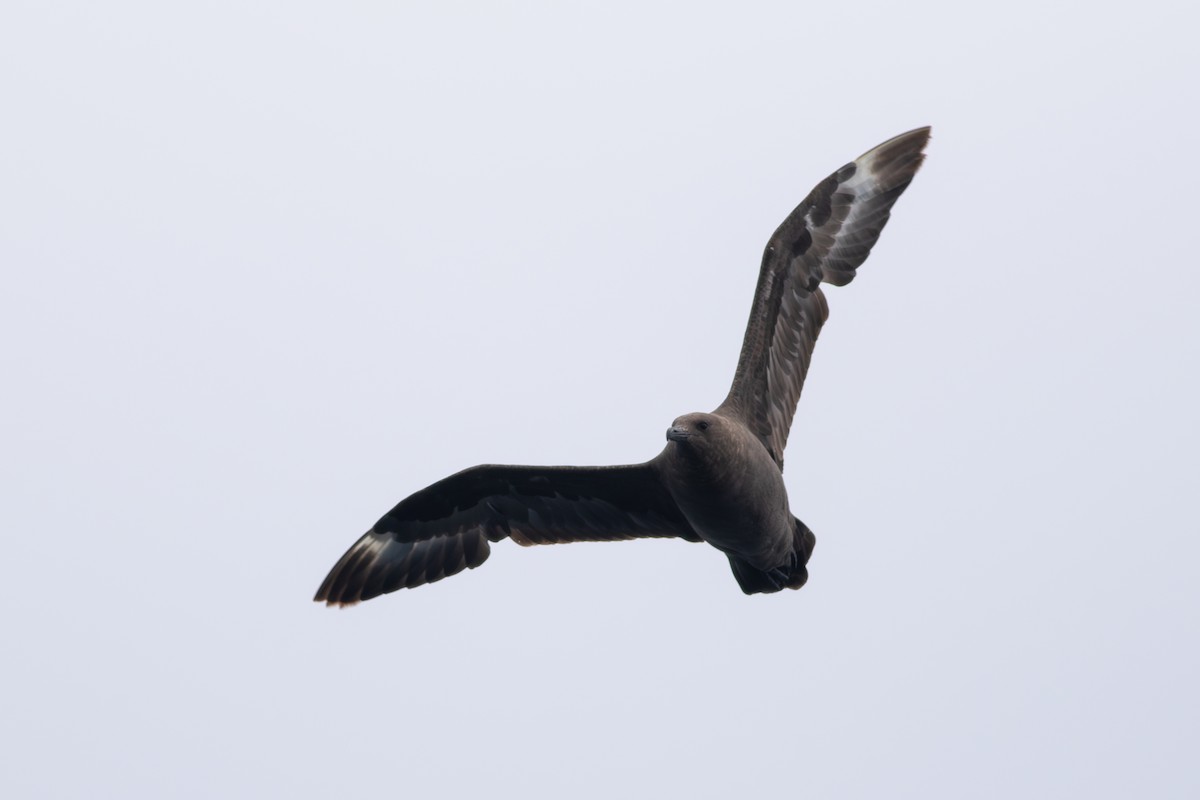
<point x="825" y="239"/>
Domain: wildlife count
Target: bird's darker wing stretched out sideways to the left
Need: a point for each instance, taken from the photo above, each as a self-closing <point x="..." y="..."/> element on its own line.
<point x="446" y="528"/>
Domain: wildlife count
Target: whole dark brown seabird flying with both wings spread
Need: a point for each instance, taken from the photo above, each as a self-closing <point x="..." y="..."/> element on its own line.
<point x="719" y="479"/>
